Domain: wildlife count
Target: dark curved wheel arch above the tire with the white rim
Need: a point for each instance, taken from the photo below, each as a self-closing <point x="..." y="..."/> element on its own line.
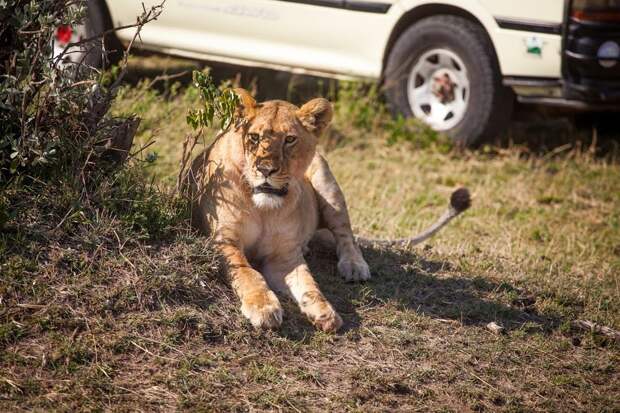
<point x="417" y="13"/>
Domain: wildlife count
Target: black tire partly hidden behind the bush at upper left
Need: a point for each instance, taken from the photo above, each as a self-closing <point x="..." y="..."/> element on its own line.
<point x="98" y="21"/>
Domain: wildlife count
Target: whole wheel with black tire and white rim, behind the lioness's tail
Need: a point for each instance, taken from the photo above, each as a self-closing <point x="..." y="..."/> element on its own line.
<point x="443" y="70"/>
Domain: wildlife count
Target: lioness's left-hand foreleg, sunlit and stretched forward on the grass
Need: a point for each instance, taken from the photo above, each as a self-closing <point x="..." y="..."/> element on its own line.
<point x="258" y="303"/>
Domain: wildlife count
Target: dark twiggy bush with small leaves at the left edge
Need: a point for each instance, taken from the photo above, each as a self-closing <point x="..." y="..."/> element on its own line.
<point x="53" y="116"/>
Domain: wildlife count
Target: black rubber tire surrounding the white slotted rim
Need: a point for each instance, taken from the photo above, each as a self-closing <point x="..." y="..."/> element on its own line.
<point x="490" y="103"/>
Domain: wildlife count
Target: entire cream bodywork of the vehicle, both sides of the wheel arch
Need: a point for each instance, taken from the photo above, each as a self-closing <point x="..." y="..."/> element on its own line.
<point x="330" y="41"/>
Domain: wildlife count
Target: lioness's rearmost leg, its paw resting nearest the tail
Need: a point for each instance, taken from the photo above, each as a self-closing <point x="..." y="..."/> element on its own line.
<point x="334" y="216"/>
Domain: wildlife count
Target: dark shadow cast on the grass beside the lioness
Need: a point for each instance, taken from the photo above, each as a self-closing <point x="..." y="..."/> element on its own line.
<point x="430" y="288"/>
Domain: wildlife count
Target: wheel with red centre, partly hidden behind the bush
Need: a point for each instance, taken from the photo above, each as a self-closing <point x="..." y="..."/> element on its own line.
<point x="97" y="21"/>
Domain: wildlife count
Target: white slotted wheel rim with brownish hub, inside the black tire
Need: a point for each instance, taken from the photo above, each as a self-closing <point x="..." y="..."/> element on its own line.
<point x="438" y="89"/>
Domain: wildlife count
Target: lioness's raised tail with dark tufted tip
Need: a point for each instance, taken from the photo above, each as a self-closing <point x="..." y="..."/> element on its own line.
<point x="460" y="200"/>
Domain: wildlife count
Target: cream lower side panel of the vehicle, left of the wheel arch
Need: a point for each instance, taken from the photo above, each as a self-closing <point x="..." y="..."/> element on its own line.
<point x="268" y="32"/>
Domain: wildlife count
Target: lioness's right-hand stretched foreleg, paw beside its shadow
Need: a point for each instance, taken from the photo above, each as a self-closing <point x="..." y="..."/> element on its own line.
<point x="297" y="280"/>
